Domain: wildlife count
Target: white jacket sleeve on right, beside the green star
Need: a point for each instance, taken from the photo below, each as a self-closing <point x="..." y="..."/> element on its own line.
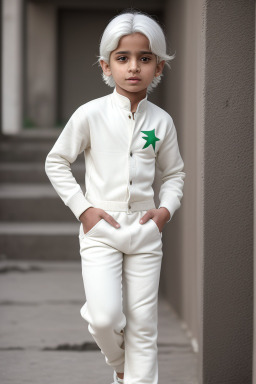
<point x="171" y="165"/>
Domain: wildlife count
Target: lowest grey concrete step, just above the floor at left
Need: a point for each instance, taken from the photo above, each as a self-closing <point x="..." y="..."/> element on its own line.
<point x="39" y="241"/>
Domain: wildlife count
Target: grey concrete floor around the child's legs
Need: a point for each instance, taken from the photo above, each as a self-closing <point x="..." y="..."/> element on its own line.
<point x="43" y="338"/>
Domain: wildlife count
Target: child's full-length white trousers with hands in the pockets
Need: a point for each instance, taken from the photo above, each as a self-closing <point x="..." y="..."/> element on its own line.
<point x="121" y="270"/>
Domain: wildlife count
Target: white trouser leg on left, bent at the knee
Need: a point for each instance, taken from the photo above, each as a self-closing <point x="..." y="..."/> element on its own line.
<point x="102" y="275"/>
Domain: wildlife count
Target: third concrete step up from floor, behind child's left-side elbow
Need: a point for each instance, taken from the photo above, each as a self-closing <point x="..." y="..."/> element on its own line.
<point x="34" y="172"/>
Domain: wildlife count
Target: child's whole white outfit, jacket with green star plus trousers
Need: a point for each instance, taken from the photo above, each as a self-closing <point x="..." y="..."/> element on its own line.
<point x="120" y="266"/>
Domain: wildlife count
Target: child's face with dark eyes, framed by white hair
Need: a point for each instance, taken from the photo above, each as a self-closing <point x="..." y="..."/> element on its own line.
<point x="132" y="65"/>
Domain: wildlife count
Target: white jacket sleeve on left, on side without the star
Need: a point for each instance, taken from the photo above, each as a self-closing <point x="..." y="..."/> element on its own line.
<point x="73" y="139"/>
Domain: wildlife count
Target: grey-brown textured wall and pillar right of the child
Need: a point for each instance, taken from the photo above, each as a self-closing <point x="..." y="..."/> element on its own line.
<point x="208" y="274"/>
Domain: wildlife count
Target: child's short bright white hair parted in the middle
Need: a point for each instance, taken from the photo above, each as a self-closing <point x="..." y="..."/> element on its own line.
<point x="126" y="24"/>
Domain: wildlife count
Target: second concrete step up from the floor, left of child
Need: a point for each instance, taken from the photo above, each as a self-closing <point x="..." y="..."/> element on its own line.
<point x="33" y="202"/>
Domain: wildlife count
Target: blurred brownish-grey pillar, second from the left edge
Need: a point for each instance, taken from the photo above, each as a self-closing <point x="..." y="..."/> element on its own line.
<point x="41" y="64"/>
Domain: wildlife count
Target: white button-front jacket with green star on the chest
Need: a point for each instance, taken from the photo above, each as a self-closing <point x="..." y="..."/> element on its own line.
<point x="120" y="153"/>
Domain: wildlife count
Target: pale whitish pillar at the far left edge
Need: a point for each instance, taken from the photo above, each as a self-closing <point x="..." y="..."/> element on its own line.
<point x="12" y="66"/>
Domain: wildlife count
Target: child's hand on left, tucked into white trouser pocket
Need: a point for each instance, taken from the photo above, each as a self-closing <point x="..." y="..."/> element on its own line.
<point x="92" y="215"/>
